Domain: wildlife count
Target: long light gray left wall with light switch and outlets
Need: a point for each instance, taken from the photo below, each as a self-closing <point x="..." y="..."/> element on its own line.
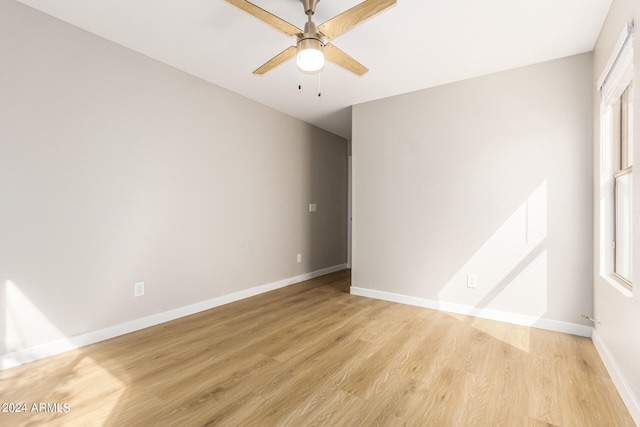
<point x="115" y="168"/>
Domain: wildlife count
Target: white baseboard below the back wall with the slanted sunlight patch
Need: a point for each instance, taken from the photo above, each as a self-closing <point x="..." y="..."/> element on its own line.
<point x="517" y="319"/>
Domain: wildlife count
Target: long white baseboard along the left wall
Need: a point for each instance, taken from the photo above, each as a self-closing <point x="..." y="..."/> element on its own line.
<point x="59" y="346"/>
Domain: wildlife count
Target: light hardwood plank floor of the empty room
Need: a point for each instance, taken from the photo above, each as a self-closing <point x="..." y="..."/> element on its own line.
<point x="310" y="355"/>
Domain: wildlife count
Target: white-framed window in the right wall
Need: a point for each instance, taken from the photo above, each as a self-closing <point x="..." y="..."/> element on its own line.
<point x="617" y="159"/>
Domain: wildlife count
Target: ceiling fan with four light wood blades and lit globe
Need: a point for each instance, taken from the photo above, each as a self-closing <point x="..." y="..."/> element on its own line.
<point x="313" y="46"/>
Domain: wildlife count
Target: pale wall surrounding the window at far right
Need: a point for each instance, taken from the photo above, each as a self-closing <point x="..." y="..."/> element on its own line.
<point x="617" y="335"/>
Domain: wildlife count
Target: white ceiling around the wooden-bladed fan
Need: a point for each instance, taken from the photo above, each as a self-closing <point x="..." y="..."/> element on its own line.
<point x="414" y="45"/>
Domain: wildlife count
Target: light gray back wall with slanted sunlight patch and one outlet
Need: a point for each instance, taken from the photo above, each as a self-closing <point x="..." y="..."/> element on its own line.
<point x="489" y="176"/>
